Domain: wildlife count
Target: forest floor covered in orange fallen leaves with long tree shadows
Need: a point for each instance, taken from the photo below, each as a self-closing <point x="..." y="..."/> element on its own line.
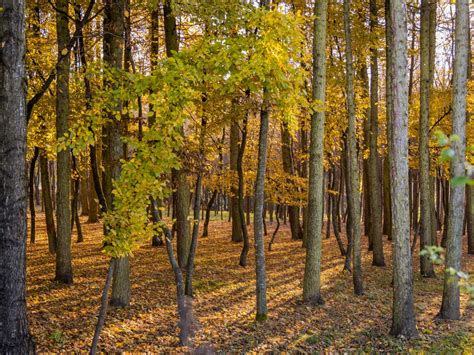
<point x="62" y="318"/>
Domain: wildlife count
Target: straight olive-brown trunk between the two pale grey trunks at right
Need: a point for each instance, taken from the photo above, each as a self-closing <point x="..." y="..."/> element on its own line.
<point x="426" y="197"/>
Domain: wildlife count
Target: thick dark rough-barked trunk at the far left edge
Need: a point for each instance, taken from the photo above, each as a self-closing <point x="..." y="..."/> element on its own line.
<point x="14" y="333"/>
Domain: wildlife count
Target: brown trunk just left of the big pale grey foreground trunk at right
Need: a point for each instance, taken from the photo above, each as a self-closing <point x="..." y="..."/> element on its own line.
<point x="374" y="190"/>
